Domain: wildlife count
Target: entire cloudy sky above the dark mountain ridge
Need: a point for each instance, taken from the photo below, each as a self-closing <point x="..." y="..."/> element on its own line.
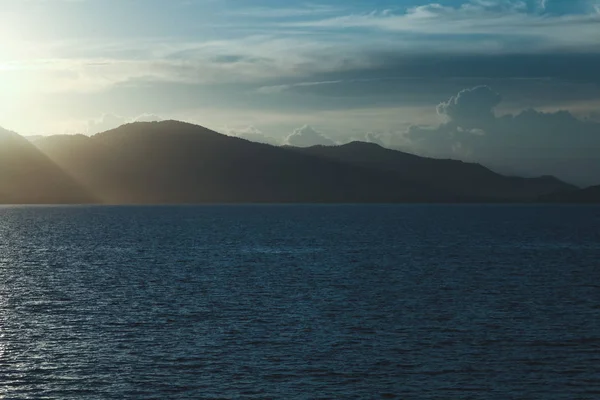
<point x="513" y="84"/>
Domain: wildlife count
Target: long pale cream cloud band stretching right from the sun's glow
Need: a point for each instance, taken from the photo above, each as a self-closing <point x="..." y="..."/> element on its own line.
<point x="251" y="59"/>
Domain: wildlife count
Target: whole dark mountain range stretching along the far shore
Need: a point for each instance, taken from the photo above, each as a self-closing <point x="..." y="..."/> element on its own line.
<point x="173" y="162"/>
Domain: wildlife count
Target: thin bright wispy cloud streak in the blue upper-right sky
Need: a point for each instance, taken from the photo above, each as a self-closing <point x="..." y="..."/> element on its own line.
<point x="496" y="23"/>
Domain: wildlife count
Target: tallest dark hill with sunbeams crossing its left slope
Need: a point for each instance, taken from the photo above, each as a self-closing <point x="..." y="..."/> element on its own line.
<point x="175" y="162"/>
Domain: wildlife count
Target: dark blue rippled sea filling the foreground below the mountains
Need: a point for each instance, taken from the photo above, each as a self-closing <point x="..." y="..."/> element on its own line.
<point x="300" y="302"/>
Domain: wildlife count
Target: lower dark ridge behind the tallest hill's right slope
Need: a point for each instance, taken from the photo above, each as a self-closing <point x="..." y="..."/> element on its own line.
<point x="449" y="176"/>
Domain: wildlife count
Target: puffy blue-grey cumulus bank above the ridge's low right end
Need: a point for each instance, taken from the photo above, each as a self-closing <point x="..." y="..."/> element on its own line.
<point x="530" y="142"/>
